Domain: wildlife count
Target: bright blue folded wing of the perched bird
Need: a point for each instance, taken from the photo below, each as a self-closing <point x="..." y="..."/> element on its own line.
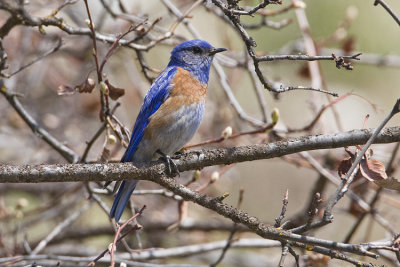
<point x="157" y="94"/>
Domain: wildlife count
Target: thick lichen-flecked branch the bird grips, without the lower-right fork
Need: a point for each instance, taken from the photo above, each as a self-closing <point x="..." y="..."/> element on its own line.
<point x="191" y="160"/>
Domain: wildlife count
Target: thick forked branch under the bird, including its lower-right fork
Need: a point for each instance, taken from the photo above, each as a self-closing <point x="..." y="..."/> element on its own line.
<point x="196" y="160"/>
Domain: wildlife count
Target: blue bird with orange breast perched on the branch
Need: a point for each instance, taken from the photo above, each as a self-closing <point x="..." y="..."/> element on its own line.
<point x="170" y="114"/>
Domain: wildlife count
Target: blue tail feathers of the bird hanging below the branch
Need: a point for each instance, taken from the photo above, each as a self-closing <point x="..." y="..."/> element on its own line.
<point x="122" y="199"/>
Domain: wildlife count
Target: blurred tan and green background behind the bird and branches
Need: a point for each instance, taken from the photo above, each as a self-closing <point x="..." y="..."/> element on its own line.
<point x="29" y="212"/>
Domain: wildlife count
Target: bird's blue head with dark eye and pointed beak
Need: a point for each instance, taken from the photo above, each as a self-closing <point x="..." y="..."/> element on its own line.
<point x="195" y="56"/>
